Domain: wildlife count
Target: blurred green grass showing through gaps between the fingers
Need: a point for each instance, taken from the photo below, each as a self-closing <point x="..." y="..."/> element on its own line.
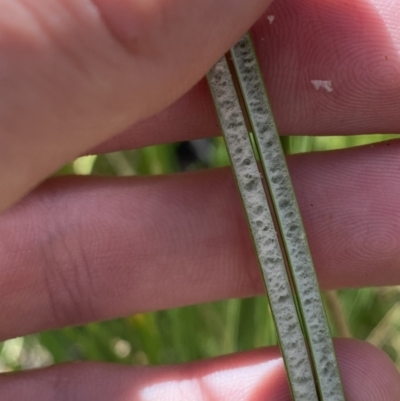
<point x="207" y="330"/>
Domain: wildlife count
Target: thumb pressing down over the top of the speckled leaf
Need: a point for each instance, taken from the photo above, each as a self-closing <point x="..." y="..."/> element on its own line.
<point x="76" y="72"/>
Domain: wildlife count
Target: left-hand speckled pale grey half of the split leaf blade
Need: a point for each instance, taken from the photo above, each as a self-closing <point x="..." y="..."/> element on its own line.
<point x="251" y="188"/>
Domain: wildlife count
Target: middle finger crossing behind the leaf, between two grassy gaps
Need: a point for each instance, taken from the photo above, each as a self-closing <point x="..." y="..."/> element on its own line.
<point x="81" y="250"/>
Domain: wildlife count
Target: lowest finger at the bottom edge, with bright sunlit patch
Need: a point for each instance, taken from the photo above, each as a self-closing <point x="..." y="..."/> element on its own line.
<point x="367" y="374"/>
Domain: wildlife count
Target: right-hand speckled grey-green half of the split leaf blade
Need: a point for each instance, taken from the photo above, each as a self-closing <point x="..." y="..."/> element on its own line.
<point x="290" y="222"/>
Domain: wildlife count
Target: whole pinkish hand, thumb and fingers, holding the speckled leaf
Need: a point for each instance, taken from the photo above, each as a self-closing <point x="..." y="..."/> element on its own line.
<point x="75" y="73"/>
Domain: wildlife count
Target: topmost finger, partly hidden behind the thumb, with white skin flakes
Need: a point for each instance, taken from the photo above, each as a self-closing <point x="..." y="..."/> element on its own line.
<point x="355" y="45"/>
